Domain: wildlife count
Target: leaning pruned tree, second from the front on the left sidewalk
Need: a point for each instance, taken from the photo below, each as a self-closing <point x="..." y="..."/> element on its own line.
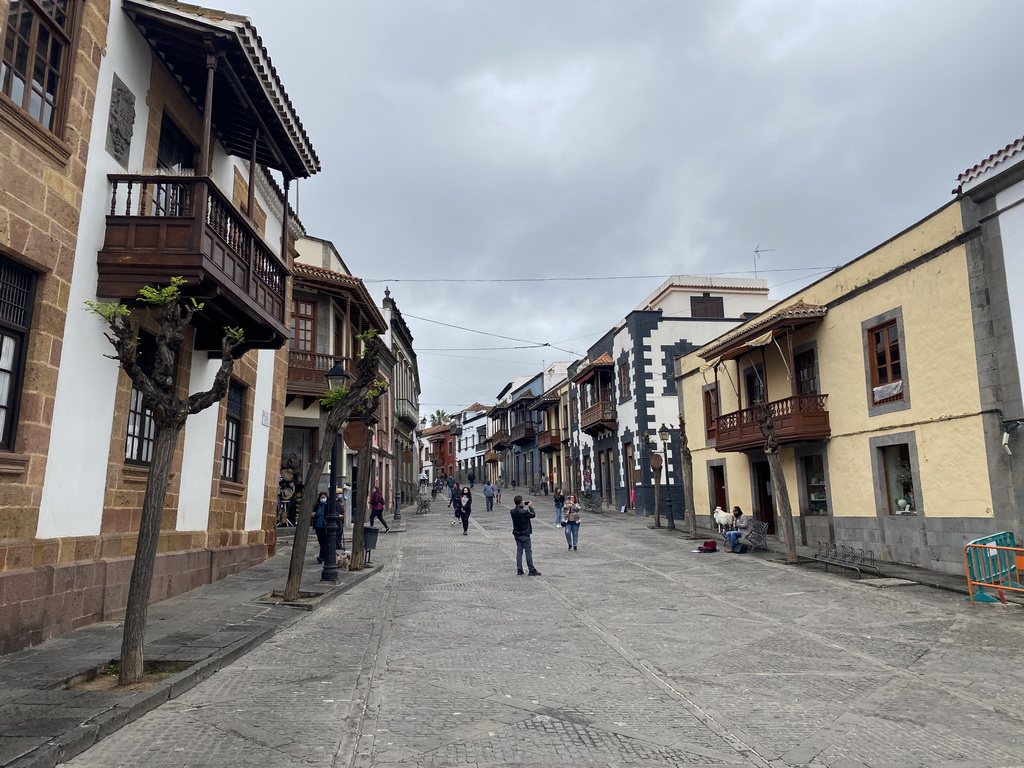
<point x="358" y="400"/>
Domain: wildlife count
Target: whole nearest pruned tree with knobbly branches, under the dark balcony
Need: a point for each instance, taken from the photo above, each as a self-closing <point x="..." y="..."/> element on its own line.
<point x="173" y="314"/>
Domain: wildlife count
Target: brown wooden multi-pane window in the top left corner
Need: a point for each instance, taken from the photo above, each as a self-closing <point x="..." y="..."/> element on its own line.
<point x="37" y="57"/>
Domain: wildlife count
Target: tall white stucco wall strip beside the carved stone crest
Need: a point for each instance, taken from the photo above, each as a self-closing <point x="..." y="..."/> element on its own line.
<point x="76" y="479"/>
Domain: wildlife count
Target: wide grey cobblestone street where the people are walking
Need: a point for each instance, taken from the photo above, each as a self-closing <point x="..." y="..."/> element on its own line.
<point x="632" y="651"/>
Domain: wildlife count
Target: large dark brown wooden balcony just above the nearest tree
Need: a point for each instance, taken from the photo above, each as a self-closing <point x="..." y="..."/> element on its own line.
<point x="163" y="227"/>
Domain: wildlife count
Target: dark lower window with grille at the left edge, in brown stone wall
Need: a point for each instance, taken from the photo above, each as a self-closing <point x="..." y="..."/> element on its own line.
<point x="18" y="290"/>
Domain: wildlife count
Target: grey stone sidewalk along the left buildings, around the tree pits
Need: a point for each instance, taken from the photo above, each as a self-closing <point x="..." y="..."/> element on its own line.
<point x="42" y="724"/>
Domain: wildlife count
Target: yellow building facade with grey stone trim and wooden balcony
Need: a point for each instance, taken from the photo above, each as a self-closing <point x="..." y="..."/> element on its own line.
<point x="875" y="377"/>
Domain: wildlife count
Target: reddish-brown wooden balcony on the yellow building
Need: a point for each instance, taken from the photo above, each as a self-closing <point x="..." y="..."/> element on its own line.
<point x="797" y="419"/>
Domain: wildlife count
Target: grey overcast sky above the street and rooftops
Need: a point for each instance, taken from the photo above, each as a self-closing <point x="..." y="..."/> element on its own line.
<point x="503" y="140"/>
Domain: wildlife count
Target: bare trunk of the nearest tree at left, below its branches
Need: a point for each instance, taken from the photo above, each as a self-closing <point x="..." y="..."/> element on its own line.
<point x="164" y="442"/>
